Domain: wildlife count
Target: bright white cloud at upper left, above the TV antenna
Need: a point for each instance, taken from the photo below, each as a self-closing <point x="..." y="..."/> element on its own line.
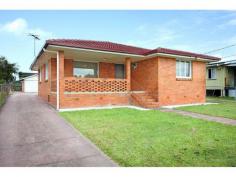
<point x="20" y="27"/>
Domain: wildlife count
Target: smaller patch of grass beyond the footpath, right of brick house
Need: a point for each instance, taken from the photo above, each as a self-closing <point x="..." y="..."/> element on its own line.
<point x="225" y="108"/>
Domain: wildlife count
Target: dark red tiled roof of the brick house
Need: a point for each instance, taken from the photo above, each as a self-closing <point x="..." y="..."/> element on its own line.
<point x="121" y="48"/>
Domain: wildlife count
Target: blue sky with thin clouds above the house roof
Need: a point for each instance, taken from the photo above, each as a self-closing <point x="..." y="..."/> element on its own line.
<point x="196" y="31"/>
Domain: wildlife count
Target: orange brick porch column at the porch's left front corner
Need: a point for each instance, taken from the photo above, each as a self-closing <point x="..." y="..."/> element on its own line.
<point x="61" y="78"/>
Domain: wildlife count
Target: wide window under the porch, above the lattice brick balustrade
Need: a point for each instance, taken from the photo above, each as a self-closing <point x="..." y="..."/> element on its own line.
<point x="85" y="69"/>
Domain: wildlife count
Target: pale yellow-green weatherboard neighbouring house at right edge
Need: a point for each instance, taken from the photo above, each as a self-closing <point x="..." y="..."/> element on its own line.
<point x="221" y="78"/>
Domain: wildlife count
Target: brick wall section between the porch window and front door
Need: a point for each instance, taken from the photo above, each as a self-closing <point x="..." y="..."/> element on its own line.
<point x="106" y="70"/>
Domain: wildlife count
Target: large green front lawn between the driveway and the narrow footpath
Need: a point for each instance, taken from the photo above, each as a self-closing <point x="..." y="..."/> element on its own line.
<point x="153" y="138"/>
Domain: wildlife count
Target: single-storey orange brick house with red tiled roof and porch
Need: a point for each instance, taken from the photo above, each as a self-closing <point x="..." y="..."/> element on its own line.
<point x="81" y="73"/>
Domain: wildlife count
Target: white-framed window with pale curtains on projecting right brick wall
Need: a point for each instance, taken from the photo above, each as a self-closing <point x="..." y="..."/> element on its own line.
<point x="183" y="69"/>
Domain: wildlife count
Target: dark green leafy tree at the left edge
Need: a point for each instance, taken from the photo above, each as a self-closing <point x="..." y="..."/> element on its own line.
<point x="7" y="70"/>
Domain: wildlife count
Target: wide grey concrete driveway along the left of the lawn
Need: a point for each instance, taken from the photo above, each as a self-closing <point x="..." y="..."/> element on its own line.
<point x="32" y="134"/>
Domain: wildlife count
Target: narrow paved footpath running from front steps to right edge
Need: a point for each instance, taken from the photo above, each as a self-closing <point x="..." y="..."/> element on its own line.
<point x="202" y="116"/>
